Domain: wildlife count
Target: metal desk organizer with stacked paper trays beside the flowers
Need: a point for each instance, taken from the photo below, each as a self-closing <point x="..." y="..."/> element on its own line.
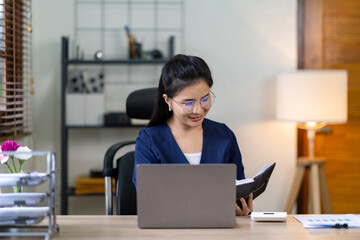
<point x="16" y="219"/>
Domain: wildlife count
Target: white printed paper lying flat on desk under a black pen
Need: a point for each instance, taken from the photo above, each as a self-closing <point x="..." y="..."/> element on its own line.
<point x="329" y="220"/>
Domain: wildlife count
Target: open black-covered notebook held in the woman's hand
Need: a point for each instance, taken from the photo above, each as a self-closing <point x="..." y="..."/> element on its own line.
<point x="255" y="185"/>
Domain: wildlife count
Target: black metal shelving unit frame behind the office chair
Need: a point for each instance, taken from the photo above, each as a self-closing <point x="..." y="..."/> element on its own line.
<point x="67" y="191"/>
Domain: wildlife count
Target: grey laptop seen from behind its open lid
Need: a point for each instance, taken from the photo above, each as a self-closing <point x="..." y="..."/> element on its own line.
<point x="186" y="196"/>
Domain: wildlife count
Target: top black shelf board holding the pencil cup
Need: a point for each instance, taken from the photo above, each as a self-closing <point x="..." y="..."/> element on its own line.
<point x="117" y="61"/>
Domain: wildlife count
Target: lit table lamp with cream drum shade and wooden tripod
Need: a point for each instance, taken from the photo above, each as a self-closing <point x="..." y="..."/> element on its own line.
<point x="311" y="98"/>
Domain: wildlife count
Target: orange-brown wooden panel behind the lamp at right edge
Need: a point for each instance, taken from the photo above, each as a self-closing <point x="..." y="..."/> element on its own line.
<point x="339" y="48"/>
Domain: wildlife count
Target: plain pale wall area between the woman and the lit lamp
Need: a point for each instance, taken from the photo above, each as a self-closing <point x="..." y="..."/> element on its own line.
<point x="246" y="44"/>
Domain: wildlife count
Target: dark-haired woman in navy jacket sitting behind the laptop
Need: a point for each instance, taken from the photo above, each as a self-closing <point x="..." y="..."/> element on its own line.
<point x="178" y="131"/>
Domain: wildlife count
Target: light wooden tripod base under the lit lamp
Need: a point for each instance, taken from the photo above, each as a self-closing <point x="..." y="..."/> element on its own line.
<point x="318" y="185"/>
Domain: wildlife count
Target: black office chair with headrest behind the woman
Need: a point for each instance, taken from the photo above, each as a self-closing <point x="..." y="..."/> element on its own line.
<point x="139" y="105"/>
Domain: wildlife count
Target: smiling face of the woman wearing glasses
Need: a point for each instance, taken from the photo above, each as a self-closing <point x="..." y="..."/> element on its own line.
<point x="184" y="112"/>
